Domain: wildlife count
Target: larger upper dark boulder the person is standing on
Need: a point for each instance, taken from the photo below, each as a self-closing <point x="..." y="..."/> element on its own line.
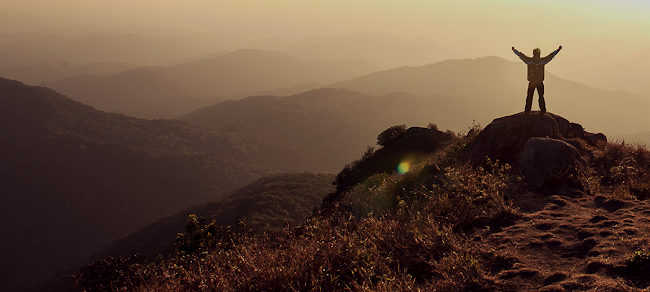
<point x="505" y="138"/>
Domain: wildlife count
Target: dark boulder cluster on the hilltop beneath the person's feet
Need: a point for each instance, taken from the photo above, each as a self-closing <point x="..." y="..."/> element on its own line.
<point x="545" y="149"/>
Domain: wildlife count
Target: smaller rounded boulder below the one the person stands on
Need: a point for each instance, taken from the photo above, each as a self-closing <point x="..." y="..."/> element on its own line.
<point x="547" y="162"/>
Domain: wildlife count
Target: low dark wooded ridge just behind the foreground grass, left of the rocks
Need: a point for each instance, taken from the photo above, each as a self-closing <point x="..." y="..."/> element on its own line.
<point x="267" y="204"/>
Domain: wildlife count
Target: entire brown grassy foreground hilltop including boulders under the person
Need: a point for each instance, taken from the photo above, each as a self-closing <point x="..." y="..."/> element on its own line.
<point x="448" y="223"/>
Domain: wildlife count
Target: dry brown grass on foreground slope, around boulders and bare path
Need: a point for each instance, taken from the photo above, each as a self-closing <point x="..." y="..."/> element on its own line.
<point x="396" y="233"/>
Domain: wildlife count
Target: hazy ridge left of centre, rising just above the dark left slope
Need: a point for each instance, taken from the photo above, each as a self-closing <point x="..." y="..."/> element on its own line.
<point x="200" y="83"/>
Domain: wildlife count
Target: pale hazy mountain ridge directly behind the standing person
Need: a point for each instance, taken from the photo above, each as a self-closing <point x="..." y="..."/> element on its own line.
<point x="497" y="87"/>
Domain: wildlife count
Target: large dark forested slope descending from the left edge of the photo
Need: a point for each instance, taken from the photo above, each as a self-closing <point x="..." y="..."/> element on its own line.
<point x="73" y="178"/>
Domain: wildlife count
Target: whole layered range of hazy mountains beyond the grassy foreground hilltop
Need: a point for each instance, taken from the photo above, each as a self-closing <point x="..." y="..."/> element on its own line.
<point x="74" y="177"/>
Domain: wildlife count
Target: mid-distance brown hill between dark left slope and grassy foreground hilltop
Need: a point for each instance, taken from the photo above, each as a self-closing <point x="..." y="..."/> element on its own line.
<point x="334" y="125"/>
